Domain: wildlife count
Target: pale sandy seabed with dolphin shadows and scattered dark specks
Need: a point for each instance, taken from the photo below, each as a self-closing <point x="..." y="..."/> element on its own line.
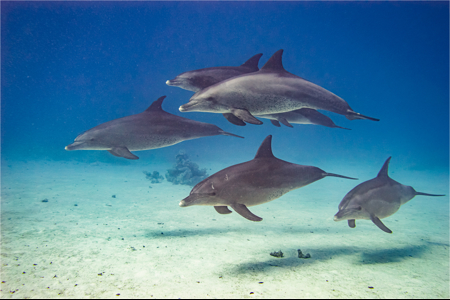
<point x="85" y="243"/>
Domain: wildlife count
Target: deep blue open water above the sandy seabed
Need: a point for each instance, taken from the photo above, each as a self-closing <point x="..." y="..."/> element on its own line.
<point x="69" y="66"/>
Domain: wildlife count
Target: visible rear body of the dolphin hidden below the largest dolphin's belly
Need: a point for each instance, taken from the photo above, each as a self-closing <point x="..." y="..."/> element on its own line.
<point x="300" y="116"/>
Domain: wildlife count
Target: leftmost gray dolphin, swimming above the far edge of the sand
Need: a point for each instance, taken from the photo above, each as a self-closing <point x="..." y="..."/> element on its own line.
<point x="151" y="129"/>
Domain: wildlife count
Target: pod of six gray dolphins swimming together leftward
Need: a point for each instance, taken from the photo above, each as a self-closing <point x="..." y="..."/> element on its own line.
<point x="241" y="94"/>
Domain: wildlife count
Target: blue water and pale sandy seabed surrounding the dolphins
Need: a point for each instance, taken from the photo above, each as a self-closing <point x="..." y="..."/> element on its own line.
<point x="69" y="66"/>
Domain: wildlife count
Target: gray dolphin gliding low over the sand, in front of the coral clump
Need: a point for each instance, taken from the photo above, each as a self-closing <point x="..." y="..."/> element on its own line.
<point x="263" y="179"/>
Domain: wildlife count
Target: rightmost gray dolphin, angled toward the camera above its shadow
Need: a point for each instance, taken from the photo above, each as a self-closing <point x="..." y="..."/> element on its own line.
<point x="375" y="199"/>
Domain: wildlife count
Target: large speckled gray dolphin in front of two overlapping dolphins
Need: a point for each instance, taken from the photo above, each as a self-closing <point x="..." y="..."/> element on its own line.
<point x="268" y="91"/>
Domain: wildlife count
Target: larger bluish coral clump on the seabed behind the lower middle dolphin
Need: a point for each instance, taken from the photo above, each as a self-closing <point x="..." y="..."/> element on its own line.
<point x="185" y="171"/>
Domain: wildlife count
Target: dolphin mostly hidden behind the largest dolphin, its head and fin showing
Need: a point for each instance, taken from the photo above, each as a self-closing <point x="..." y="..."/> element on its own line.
<point x="199" y="79"/>
